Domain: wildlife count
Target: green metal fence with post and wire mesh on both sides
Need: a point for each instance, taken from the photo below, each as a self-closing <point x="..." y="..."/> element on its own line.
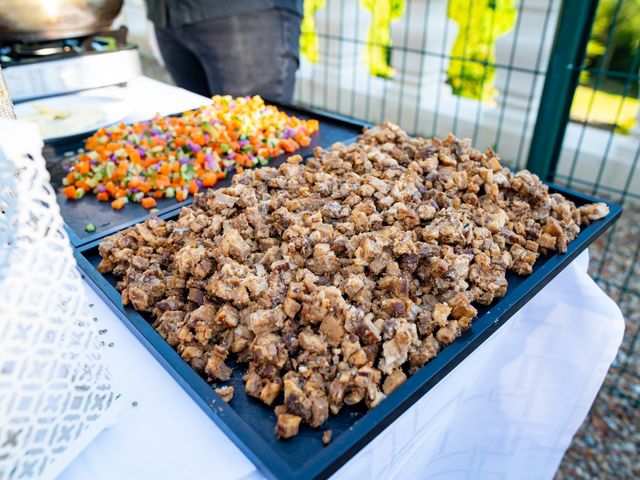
<point x="521" y="82"/>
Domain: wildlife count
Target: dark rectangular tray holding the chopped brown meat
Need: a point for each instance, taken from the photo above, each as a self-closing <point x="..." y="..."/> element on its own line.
<point x="250" y="424"/>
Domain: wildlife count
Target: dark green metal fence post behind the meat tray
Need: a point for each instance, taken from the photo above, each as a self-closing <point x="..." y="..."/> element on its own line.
<point x="568" y="52"/>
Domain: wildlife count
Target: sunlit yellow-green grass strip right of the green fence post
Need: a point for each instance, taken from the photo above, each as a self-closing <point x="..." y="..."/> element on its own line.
<point x="604" y="109"/>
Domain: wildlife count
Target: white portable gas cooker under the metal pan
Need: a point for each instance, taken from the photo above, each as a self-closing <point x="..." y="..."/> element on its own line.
<point x="56" y="67"/>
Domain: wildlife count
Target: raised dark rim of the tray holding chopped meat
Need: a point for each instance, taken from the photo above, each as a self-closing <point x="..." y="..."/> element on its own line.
<point x="328" y="460"/>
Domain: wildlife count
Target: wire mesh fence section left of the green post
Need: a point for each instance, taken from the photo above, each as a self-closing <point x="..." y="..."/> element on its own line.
<point x="435" y="72"/>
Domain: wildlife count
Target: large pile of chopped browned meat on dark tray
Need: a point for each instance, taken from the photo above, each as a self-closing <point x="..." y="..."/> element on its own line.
<point x="335" y="280"/>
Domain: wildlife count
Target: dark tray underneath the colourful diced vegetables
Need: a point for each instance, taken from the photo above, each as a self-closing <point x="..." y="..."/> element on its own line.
<point x="78" y="214"/>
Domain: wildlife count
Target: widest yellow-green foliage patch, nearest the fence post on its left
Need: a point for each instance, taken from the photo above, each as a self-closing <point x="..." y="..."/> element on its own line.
<point x="471" y="71"/>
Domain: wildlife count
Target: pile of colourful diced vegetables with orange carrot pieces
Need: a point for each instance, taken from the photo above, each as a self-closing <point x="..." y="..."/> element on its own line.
<point x="174" y="157"/>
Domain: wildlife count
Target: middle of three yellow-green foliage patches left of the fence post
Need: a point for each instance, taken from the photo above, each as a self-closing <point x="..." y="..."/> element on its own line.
<point x="383" y="12"/>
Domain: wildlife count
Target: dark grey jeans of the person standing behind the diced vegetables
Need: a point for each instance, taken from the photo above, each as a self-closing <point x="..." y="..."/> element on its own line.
<point x="254" y="54"/>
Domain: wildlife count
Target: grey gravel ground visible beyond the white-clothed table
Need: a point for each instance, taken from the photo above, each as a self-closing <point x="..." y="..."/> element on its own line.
<point x="607" y="444"/>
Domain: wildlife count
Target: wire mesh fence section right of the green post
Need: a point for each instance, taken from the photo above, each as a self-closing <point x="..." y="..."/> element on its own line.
<point x="604" y="162"/>
